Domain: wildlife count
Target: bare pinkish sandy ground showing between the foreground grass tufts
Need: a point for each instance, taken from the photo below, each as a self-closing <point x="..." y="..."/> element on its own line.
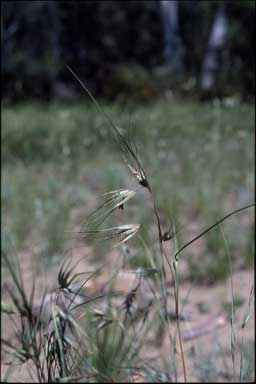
<point x="204" y="308"/>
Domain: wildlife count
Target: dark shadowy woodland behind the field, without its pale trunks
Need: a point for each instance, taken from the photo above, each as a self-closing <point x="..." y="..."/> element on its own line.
<point x="117" y="48"/>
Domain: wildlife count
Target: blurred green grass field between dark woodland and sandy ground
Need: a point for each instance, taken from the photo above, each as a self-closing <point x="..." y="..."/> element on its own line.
<point x="199" y="157"/>
